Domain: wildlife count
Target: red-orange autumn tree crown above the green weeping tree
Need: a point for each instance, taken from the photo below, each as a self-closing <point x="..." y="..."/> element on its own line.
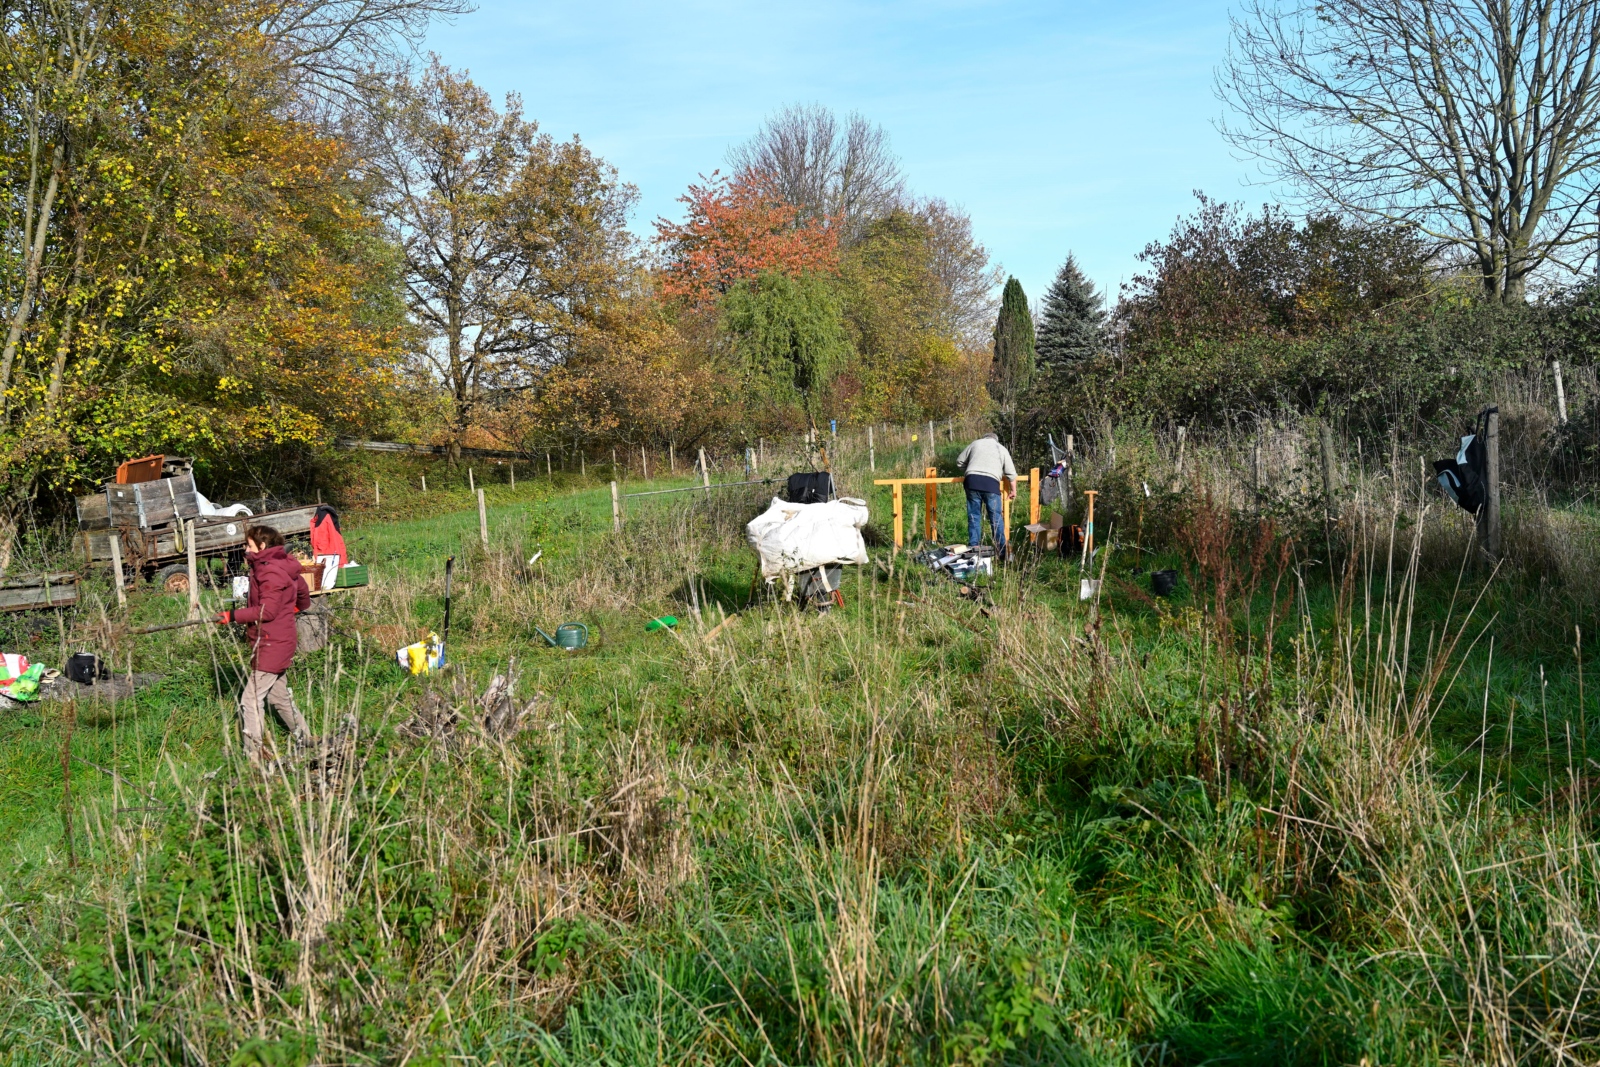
<point x="737" y="228"/>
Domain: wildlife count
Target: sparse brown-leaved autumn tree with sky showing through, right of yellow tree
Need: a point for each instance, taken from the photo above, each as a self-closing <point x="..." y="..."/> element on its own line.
<point x="513" y="242"/>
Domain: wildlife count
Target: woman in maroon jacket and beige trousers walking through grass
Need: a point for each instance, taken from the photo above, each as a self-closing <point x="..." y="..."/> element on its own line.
<point x="278" y="594"/>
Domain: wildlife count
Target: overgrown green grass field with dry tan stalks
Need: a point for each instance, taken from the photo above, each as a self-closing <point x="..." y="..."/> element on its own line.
<point x="1306" y="812"/>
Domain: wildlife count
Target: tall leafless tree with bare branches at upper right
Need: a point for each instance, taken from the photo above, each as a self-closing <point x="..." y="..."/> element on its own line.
<point x="1478" y="122"/>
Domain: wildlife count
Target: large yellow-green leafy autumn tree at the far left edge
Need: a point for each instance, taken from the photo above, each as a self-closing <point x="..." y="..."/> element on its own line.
<point x="201" y="273"/>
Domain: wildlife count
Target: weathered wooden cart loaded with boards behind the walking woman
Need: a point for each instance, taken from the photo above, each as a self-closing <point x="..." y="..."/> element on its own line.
<point x="143" y="526"/>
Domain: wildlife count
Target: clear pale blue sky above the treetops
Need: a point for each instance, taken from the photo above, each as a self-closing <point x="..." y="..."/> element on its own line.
<point x="1060" y="127"/>
